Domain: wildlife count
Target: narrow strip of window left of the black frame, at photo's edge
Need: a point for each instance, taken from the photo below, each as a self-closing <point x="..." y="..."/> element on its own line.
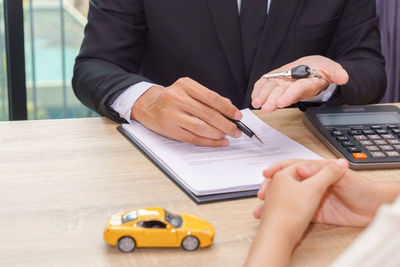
<point x="3" y="69"/>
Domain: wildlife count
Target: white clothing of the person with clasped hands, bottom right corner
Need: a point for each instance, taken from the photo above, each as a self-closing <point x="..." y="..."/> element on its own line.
<point x="379" y="244"/>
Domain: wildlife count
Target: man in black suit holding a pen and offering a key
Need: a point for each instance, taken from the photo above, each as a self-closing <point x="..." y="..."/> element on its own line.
<point x="137" y="53"/>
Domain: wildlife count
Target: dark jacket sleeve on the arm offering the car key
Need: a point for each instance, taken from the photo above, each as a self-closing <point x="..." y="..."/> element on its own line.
<point x="356" y="46"/>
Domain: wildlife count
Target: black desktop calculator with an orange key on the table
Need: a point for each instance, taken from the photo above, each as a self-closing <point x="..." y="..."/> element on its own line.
<point x="367" y="136"/>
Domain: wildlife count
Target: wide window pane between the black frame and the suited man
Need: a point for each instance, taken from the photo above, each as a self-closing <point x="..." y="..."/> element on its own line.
<point x="53" y="34"/>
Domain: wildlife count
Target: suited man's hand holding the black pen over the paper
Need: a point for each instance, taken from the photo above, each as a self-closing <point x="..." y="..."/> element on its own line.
<point x="189" y="112"/>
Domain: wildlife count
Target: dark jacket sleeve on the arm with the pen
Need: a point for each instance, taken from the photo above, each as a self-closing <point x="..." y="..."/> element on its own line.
<point x="111" y="53"/>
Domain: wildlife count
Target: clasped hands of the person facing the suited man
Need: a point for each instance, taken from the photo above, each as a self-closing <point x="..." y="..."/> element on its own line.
<point x="297" y="192"/>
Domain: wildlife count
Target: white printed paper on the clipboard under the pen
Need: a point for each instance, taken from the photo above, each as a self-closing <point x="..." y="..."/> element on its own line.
<point x="237" y="167"/>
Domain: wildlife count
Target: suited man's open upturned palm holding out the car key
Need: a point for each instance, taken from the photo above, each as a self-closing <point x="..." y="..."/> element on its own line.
<point x="272" y="93"/>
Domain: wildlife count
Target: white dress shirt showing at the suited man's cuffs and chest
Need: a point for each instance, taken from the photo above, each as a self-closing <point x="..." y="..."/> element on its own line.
<point x="124" y="102"/>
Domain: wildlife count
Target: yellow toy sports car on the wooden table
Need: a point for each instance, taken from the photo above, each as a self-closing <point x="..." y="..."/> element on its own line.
<point x="156" y="227"/>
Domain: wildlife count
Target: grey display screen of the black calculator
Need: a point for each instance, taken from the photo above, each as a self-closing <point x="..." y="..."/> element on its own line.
<point x="359" y="118"/>
